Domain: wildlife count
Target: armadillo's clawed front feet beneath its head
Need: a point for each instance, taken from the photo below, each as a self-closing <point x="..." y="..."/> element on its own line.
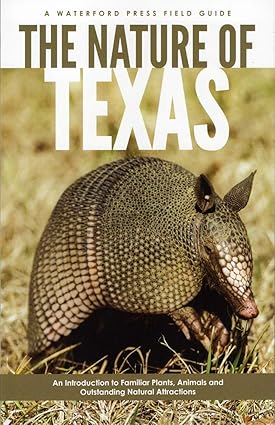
<point x="188" y="319"/>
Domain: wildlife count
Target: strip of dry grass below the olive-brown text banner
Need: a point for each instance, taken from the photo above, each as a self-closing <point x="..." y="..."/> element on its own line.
<point x="201" y="412"/>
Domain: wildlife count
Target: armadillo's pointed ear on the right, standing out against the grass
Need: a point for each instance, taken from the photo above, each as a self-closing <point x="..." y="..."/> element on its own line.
<point x="238" y="196"/>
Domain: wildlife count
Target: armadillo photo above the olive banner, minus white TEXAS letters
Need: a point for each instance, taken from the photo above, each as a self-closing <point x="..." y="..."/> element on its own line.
<point x="137" y="261"/>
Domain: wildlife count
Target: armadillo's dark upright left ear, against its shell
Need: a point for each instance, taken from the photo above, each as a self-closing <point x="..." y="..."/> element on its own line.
<point x="205" y="194"/>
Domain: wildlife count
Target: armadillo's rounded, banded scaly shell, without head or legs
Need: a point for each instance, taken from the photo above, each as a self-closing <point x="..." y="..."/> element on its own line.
<point x="121" y="236"/>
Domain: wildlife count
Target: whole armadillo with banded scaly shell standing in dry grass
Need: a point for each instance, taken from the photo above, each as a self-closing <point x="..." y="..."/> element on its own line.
<point x="140" y="235"/>
